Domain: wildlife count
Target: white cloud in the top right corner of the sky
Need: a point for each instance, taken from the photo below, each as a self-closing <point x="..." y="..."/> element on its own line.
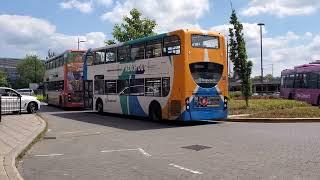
<point x="281" y="8"/>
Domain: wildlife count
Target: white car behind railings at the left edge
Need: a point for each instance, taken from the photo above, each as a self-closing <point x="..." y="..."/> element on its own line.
<point x="10" y="101"/>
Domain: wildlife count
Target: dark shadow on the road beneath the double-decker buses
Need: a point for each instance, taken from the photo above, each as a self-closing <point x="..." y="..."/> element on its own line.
<point x="130" y="123"/>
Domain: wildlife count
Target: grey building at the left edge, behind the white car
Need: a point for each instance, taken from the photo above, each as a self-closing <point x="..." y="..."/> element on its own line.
<point x="9" y="65"/>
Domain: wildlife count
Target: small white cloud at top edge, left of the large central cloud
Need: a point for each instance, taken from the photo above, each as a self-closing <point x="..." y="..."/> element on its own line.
<point x="84" y="7"/>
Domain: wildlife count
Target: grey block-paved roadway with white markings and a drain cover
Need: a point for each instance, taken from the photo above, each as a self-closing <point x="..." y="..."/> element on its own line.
<point x="84" y="145"/>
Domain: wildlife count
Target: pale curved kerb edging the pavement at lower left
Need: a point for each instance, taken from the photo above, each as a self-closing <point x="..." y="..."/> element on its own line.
<point x="10" y="158"/>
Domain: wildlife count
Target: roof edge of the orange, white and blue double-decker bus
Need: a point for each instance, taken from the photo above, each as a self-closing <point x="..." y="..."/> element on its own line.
<point x="154" y="37"/>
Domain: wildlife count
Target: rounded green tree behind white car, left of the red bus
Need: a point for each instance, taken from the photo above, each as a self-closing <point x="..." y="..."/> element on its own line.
<point x="31" y="70"/>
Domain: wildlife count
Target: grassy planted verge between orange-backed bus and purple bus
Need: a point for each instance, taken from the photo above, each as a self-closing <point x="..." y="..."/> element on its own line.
<point x="274" y="108"/>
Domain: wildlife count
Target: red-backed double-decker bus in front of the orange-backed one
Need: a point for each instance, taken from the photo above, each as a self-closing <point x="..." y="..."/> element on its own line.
<point x="63" y="79"/>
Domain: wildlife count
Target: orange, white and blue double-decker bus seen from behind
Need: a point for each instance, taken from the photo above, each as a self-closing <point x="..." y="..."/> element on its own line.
<point x="180" y="75"/>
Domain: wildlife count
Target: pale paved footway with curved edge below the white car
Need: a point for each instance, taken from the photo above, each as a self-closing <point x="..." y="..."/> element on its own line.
<point x="16" y="133"/>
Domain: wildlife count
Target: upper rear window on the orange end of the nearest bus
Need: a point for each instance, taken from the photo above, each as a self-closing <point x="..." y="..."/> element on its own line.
<point x="205" y="41"/>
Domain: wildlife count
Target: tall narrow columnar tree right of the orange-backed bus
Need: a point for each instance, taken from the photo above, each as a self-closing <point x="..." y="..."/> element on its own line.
<point x="238" y="55"/>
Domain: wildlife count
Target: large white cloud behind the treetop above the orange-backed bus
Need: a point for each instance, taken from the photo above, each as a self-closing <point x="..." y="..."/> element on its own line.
<point x="169" y="15"/>
